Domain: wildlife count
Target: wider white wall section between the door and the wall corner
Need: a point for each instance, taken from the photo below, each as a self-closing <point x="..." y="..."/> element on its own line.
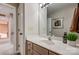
<point x="31" y="19"/>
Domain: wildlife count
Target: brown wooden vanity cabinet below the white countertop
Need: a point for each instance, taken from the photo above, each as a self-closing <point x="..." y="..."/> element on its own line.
<point x="34" y="49"/>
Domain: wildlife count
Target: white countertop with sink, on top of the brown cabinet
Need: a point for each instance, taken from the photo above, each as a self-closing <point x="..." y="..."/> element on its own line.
<point x="54" y="45"/>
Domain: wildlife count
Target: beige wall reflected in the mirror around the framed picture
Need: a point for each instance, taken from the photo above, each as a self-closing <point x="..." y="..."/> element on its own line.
<point x="67" y="14"/>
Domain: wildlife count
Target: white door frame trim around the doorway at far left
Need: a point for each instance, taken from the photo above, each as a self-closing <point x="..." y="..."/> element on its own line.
<point x="13" y="7"/>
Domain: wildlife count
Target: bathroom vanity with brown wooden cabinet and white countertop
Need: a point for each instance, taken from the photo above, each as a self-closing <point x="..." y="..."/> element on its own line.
<point x="37" y="45"/>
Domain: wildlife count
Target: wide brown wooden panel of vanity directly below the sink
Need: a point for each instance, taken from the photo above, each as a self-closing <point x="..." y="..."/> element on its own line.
<point x="40" y="49"/>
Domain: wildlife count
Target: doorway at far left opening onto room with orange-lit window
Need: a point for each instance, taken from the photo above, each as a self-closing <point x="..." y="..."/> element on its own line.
<point x="7" y="29"/>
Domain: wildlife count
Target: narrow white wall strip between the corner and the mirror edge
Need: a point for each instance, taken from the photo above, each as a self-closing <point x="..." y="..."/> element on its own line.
<point x="43" y="21"/>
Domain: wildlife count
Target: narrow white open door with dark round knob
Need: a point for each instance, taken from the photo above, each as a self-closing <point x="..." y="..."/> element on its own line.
<point x="21" y="29"/>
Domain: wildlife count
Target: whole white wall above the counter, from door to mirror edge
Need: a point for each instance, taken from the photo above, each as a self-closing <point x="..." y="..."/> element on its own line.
<point x="35" y="19"/>
